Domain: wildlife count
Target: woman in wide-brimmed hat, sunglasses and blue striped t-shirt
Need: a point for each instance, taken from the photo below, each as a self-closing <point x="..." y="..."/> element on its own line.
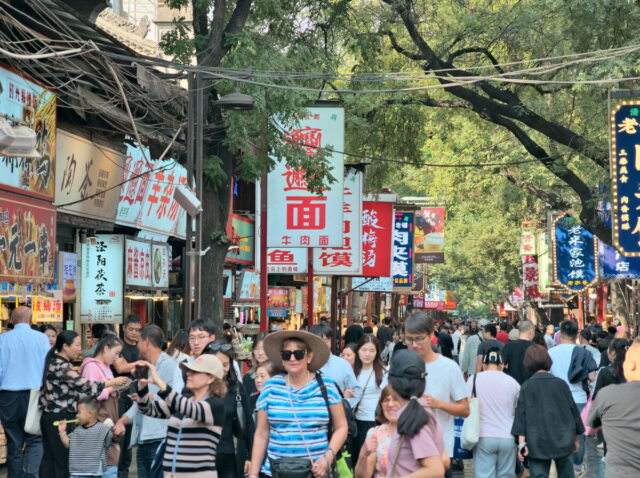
<point x="295" y="418"/>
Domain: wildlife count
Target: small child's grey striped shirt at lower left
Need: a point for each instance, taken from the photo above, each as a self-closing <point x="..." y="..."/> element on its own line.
<point x="88" y="449"/>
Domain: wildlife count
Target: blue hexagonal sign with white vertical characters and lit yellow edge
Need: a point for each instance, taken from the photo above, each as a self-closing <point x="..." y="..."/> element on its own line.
<point x="575" y="265"/>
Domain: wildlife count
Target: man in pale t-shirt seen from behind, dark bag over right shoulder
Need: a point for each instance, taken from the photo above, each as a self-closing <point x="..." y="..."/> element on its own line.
<point x="563" y="356"/>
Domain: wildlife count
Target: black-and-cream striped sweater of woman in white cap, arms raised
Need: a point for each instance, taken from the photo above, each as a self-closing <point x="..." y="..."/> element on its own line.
<point x="193" y="433"/>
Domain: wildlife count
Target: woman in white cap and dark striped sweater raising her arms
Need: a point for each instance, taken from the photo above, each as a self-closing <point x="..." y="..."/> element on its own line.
<point x="195" y="423"/>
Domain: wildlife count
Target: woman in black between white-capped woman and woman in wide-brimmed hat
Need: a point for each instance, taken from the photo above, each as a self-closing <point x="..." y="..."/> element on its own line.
<point x="237" y="428"/>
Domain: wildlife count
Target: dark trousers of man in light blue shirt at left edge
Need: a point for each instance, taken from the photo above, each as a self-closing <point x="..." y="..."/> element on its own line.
<point x="13" y="412"/>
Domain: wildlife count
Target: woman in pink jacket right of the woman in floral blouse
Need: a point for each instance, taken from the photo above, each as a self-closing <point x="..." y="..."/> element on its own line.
<point x="98" y="369"/>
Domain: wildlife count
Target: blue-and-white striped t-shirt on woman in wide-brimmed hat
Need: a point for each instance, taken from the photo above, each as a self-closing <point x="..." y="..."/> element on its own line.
<point x="298" y="418"/>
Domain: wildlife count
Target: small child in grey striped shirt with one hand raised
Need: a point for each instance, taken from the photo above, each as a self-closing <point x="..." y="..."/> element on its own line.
<point x="88" y="442"/>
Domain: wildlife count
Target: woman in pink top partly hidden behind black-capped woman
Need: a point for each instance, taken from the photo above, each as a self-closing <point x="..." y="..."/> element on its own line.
<point x="374" y="454"/>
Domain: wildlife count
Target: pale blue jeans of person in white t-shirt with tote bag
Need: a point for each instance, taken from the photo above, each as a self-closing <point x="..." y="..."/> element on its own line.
<point x="494" y="458"/>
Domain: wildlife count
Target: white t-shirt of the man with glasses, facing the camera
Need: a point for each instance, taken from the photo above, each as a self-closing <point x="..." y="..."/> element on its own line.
<point x="445" y="382"/>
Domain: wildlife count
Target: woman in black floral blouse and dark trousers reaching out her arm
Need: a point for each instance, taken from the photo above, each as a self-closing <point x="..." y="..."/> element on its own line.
<point x="62" y="387"/>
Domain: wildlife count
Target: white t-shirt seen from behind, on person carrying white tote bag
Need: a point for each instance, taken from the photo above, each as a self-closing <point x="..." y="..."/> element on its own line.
<point x="498" y="395"/>
